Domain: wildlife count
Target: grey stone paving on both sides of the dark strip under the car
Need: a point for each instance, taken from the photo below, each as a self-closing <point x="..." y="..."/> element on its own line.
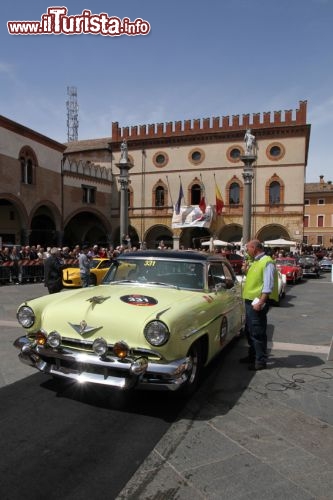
<point x="266" y="434"/>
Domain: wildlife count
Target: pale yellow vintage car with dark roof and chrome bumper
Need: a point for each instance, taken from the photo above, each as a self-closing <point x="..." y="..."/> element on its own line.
<point x="156" y="320"/>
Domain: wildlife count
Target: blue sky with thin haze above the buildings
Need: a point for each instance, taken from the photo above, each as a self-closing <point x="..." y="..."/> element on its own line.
<point x="200" y="59"/>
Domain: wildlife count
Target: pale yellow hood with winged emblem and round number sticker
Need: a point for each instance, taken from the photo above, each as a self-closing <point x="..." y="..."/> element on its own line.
<point x="115" y="312"/>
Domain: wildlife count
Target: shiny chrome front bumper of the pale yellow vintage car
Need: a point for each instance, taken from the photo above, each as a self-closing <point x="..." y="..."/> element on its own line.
<point x="109" y="370"/>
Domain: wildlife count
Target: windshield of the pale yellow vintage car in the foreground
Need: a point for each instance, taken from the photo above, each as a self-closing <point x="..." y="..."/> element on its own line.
<point x="179" y="274"/>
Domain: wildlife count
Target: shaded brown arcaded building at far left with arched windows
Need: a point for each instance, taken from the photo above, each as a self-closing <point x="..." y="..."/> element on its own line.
<point x="42" y="200"/>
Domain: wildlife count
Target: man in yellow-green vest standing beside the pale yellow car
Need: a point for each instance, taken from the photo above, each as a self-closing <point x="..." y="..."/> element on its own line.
<point x="261" y="284"/>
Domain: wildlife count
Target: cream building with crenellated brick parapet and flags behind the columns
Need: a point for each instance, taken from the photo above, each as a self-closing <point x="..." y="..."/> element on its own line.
<point x="202" y="154"/>
